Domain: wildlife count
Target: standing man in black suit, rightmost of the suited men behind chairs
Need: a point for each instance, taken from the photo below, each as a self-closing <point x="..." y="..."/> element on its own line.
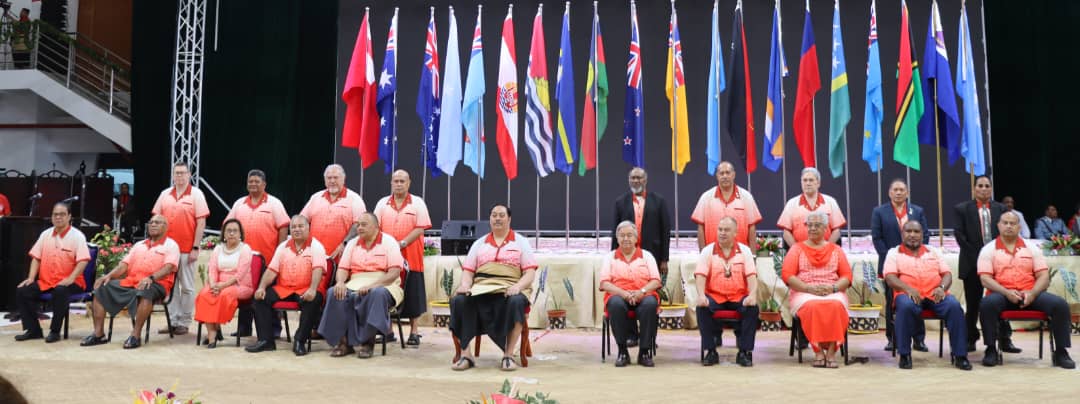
<point x="976" y="226"/>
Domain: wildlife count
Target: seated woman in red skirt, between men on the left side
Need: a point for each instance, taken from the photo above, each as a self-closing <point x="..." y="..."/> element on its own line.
<point x="228" y="281"/>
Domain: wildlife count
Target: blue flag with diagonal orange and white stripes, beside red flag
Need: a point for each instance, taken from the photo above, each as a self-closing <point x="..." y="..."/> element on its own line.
<point x="773" y="151"/>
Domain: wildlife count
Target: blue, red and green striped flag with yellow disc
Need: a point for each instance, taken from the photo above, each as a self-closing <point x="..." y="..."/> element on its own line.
<point x="595" y="118"/>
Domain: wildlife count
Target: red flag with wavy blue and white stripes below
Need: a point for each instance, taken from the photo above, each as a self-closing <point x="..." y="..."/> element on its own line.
<point x="538" y="136"/>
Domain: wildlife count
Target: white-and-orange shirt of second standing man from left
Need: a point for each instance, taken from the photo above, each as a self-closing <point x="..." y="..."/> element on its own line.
<point x="262" y="222"/>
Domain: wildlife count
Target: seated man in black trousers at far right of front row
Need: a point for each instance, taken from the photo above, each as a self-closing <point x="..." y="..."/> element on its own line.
<point x="1018" y="277"/>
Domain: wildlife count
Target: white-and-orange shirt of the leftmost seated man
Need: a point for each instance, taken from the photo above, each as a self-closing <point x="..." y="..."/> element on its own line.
<point x="58" y="254"/>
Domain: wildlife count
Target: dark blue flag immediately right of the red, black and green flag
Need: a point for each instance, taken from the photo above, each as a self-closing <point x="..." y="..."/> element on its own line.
<point x="939" y="82"/>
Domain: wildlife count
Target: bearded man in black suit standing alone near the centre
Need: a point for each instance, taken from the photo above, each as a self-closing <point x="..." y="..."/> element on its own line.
<point x="649" y="211"/>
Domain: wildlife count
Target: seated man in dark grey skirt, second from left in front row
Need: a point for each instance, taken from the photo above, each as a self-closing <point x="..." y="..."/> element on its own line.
<point x="144" y="277"/>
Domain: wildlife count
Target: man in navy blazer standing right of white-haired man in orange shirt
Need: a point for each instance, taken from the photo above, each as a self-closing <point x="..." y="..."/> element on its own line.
<point x="886" y="225"/>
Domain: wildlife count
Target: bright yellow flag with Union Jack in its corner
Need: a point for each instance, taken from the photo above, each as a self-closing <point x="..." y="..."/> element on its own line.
<point x="676" y="88"/>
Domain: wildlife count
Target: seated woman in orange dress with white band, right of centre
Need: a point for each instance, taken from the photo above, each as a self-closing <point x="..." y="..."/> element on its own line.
<point x="819" y="275"/>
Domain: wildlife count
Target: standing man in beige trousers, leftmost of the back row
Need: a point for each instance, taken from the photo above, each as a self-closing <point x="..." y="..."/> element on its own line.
<point x="186" y="210"/>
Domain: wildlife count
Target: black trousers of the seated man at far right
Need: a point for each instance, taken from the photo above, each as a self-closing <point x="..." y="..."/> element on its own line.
<point x="1056" y="307"/>
